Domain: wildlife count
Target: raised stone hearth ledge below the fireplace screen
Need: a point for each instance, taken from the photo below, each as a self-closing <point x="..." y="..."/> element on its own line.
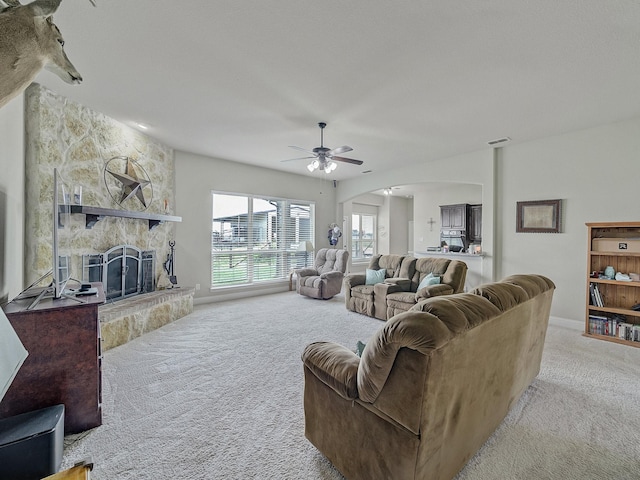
<point x="132" y="317"/>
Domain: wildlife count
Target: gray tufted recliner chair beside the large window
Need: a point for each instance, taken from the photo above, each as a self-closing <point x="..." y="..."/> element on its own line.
<point x="324" y="279"/>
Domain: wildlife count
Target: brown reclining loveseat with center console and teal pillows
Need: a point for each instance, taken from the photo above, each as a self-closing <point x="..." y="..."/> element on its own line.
<point x="399" y="291"/>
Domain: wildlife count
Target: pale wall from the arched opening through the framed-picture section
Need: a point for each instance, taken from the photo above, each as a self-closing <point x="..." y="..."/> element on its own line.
<point x="595" y="171"/>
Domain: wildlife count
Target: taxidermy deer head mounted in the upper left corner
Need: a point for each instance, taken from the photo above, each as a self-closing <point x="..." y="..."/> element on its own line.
<point x="29" y="41"/>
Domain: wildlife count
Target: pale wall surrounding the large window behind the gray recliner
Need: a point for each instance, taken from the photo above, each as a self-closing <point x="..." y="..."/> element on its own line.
<point x="198" y="176"/>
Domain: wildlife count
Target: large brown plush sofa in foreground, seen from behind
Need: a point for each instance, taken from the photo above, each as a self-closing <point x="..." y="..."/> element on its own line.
<point x="432" y="384"/>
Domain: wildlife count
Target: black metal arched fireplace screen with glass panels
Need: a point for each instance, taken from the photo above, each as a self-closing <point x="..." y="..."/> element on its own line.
<point x="124" y="271"/>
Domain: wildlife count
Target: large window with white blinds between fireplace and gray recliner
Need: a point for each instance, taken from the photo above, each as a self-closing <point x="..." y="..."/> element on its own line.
<point x="256" y="239"/>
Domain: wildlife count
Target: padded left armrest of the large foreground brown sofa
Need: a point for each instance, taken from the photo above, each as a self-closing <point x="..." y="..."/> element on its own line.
<point x="336" y="366"/>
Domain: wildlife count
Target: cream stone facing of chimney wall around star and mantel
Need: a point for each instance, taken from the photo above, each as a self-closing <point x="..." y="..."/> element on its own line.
<point x="79" y="142"/>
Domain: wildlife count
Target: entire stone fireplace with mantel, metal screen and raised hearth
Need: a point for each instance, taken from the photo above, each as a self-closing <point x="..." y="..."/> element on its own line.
<point x="118" y="250"/>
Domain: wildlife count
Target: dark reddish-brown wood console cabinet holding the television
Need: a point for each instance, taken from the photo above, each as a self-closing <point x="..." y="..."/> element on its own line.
<point x="64" y="363"/>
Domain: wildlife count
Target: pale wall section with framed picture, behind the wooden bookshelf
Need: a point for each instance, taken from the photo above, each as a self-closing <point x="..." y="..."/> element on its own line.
<point x="595" y="172"/>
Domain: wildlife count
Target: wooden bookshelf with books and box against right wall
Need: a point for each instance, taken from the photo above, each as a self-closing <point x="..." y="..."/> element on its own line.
<point x="615" y="244"/>
